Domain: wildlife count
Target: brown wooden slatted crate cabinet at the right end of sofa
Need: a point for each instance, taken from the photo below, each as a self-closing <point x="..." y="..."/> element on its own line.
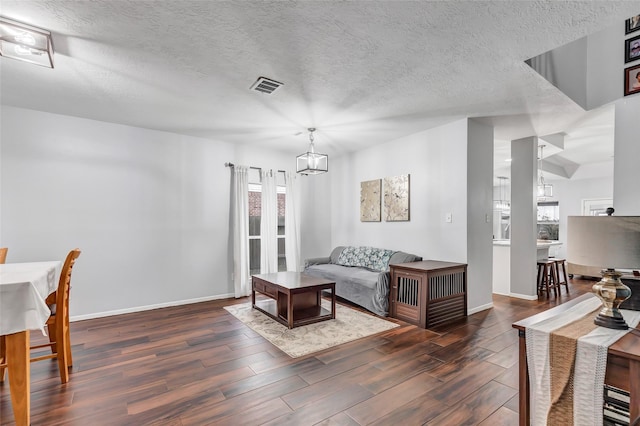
<point x="428" y="293"/>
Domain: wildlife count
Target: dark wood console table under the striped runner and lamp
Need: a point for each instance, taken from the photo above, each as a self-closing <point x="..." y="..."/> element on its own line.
<point x="623" y="363"/>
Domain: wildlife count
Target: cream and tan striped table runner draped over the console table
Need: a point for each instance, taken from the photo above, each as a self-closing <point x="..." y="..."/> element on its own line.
<point x="552" y="389"/>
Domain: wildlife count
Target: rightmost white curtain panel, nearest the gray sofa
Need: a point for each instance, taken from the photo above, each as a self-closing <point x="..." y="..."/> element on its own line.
<point x="292" y="222"/>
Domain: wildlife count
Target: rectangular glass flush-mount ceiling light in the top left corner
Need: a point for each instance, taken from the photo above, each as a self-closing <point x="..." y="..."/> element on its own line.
<point x="25" y="43"/>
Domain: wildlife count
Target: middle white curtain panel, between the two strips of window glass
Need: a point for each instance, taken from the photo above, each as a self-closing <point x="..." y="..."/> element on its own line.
<point x="269" y="224"/>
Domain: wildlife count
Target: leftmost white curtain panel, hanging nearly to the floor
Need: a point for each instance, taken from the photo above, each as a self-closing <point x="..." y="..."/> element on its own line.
<point x="240" y="218"/>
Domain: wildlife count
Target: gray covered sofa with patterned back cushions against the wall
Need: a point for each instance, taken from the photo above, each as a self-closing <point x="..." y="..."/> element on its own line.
<point x="361" y="274"/>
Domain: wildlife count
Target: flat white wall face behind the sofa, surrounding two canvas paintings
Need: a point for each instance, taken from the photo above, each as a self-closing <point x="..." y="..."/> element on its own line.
<point x="436" y="162"/>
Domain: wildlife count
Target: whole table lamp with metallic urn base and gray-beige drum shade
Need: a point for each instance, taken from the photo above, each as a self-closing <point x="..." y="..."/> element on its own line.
<point x="606" y="242"/>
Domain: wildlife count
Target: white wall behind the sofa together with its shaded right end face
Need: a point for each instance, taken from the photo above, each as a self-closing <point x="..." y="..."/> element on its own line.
<point x="440" y="171"/>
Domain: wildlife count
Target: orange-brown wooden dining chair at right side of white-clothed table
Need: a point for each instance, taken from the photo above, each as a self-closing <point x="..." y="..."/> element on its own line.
<point x="58" y="322"/>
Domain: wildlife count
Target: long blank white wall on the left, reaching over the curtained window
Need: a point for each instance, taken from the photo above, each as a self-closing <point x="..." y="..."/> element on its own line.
<point x="148" y="209"/>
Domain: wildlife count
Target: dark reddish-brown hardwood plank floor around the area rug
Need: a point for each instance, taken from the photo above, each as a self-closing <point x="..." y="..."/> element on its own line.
<point x="198" y="365"/>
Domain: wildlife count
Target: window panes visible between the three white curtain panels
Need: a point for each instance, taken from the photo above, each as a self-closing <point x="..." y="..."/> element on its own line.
<point x="255" y="214"/>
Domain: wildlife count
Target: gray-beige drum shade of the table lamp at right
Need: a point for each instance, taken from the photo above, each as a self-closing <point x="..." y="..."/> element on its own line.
<point x="604" y="241"/>
